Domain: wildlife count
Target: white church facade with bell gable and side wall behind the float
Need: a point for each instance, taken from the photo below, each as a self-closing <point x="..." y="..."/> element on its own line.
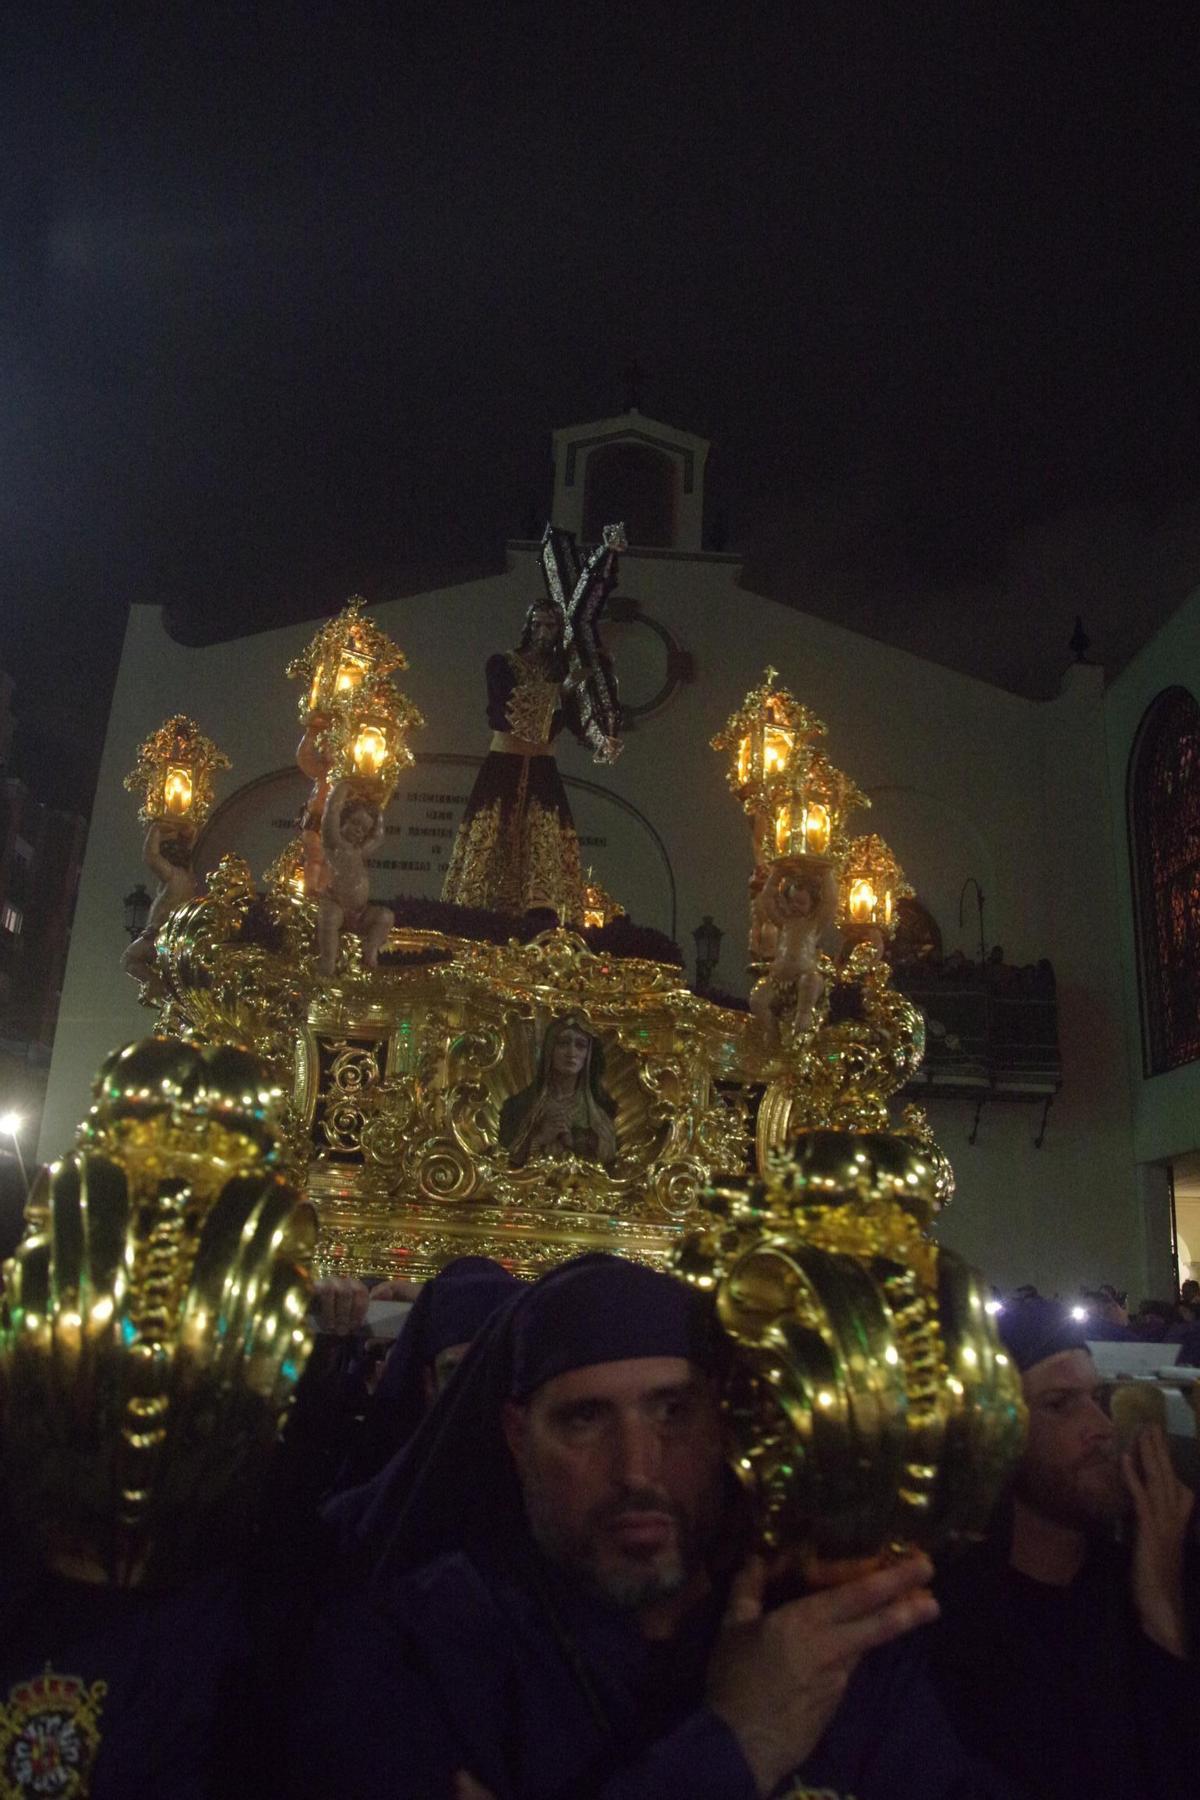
<point x="969" y="784"/>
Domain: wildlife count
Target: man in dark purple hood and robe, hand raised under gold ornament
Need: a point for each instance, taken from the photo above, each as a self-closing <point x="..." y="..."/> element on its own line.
<point x="568" y="1606"/>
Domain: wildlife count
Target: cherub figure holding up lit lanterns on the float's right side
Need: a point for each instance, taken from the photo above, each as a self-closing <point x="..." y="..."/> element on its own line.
<point x="793" y="910"/>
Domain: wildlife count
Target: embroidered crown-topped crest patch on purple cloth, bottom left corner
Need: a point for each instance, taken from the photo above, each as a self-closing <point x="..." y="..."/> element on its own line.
<point x="49" y="1736"/>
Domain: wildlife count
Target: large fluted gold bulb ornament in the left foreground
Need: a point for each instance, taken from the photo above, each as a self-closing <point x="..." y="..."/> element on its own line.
<point x="154" y="1322"/>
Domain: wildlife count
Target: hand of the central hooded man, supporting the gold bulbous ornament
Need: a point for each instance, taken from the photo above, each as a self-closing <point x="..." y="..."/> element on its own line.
<point x="776" y="1678"/>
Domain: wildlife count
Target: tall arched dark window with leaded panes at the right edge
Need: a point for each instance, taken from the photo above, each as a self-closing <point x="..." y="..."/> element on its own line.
<point x="1165" y="847"/>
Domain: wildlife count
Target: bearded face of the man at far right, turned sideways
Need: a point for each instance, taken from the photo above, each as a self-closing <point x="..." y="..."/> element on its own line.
<point x="1071" y="1471"/>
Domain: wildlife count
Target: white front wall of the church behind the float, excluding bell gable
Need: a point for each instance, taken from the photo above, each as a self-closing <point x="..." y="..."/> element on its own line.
<point x="956" y="768"/>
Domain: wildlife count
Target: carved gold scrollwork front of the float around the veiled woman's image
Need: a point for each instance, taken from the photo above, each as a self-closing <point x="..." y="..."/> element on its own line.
<point x="400" y="1084"/>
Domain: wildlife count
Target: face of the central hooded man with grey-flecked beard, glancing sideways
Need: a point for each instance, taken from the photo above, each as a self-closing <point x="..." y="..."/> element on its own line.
<point x="622" y="1473"/>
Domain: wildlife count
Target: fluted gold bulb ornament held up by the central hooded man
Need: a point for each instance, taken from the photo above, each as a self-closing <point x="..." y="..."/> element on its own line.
<point x="859" y="1345"/>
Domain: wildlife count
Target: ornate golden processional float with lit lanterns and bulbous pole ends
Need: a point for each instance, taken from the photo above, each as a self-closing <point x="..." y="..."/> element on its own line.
<point x="755" y="1153"/>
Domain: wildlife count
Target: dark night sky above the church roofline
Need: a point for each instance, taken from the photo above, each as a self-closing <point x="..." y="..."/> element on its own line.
<point x="292" y="298"/>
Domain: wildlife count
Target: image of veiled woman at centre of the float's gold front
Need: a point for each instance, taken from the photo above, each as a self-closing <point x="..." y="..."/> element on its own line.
<point x="566" y="1108"/>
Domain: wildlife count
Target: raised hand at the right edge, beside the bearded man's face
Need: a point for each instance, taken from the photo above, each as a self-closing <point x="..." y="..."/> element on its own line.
<point x="1163" y="1506"/>
